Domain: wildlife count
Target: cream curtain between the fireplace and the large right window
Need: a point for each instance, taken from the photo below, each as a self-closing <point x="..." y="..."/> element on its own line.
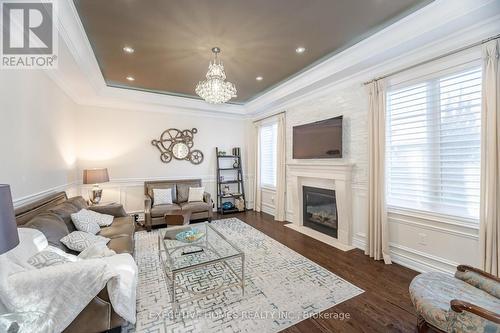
<point x="377" y="245"/>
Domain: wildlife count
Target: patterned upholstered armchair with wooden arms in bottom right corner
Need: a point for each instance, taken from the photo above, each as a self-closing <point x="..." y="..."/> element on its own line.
<point x="467" y="302"/>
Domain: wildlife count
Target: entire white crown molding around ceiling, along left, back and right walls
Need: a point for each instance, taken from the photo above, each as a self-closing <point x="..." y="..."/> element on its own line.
<point x="435" y="29"/>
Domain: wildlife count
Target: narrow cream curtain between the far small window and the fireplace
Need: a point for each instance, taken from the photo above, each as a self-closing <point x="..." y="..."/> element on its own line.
<point x="280" y="214"/>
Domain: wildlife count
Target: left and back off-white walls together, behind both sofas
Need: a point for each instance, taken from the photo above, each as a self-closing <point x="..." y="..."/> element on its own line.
<point x="46" y="140"/>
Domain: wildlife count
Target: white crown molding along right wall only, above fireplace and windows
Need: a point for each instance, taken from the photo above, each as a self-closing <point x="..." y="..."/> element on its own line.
<point x="440" y="27"/>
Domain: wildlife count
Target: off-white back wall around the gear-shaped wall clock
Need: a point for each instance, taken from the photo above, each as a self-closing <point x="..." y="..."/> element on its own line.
<point x="120" y="140"/>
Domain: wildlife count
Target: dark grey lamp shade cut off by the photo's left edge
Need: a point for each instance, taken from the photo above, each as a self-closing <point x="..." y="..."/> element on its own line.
<point x="8" y="227"/>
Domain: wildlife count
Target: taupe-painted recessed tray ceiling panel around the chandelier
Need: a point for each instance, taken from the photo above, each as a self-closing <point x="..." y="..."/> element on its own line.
<point x="172" y="38"/>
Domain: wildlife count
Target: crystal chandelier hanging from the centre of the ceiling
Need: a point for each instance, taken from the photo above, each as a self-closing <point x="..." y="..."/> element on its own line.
<point x="215" y="89"/>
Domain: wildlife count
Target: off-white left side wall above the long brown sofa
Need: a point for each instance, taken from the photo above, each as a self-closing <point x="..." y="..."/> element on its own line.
<point x="37" y="135"/>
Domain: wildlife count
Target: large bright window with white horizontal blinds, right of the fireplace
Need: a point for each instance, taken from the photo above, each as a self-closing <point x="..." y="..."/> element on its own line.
<point x="433" y="144"/>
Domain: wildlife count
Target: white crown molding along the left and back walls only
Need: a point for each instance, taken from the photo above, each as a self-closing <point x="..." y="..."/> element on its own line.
<point x="79" y="75"/>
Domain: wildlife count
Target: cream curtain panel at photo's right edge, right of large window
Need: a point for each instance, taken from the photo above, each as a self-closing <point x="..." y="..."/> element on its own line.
<point x="490" y="160"/>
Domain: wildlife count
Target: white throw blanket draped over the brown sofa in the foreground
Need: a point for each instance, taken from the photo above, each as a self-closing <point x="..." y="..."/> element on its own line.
<point x="63" y="291"/>
